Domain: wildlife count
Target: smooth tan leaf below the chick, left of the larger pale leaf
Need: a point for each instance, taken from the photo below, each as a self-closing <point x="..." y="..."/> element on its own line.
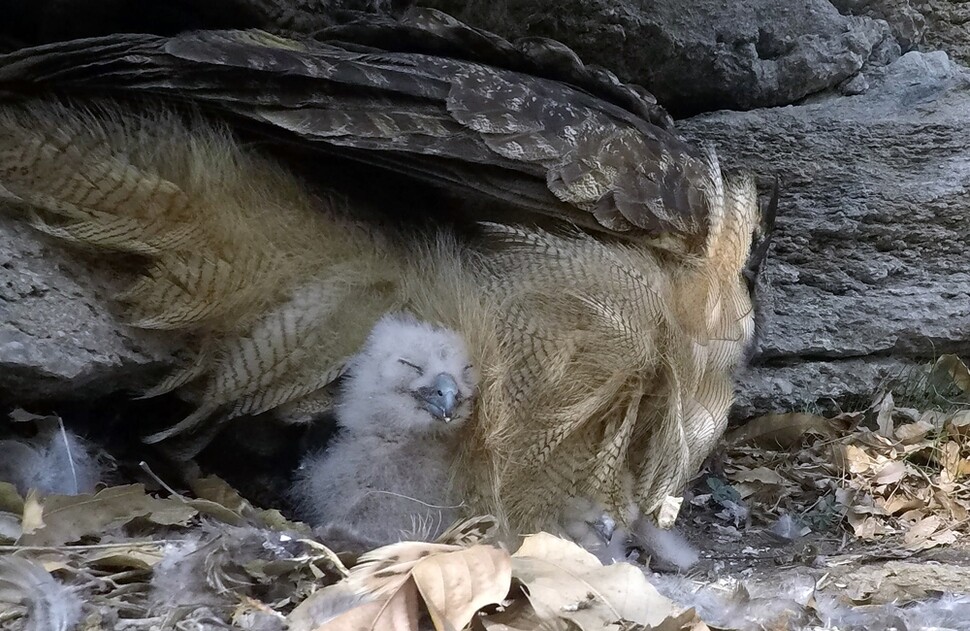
<point x="457" y="584"/>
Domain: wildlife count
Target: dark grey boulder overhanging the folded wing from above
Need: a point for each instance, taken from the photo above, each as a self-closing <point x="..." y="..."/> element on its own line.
<point x="703" y="55"/>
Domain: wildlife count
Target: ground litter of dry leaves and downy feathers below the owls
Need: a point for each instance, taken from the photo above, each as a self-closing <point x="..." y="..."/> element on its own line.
<point x="803" y="521"/>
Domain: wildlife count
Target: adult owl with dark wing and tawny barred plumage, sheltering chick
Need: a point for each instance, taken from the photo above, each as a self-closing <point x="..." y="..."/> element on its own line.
<point x="606" y="354"/>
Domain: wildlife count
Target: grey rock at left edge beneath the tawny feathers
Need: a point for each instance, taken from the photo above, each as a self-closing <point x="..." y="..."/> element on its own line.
<point x="56" y="337"/>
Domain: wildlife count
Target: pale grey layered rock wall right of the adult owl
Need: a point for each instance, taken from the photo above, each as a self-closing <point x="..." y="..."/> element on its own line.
<point x="868" y="271"/>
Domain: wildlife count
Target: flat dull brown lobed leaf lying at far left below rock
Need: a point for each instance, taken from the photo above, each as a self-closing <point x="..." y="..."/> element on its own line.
<point x="59" y="519"/>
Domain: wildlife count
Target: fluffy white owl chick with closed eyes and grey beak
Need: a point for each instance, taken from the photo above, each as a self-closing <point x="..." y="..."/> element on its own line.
<point x="385" y="477"/>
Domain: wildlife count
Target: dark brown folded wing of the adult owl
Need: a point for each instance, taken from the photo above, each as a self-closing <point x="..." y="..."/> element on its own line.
<point x="566" y="140"/>
